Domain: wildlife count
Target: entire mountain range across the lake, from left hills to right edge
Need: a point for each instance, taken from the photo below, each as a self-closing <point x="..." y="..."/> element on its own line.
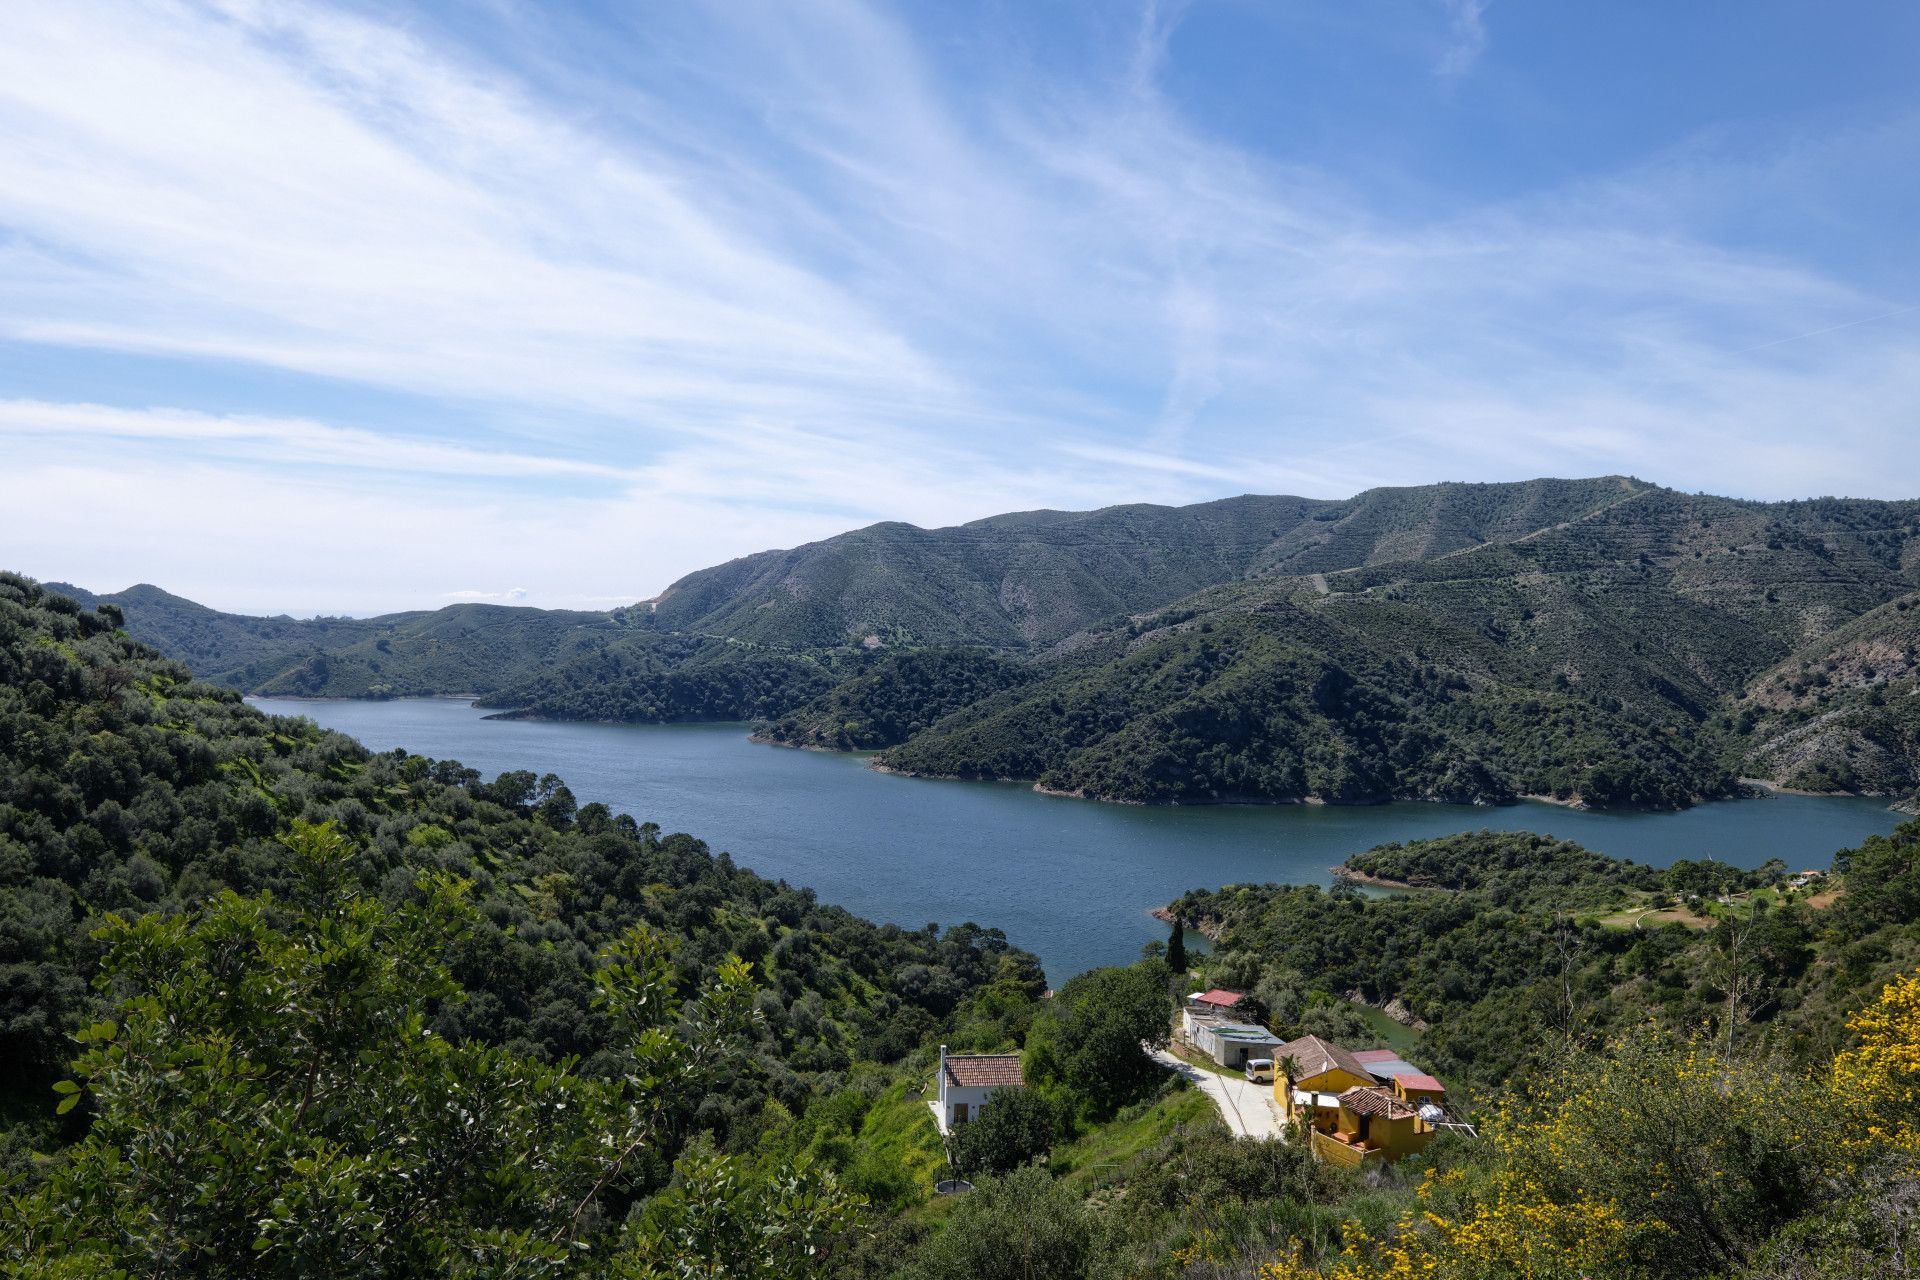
<point x="1602" y="642"/>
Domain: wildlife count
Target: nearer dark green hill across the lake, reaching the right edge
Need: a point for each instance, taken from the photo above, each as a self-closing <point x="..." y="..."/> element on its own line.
<point x="1612" y="659"/>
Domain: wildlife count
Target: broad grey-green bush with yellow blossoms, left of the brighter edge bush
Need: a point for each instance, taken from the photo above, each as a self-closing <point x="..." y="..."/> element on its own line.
<point x="1654" y="1158"/>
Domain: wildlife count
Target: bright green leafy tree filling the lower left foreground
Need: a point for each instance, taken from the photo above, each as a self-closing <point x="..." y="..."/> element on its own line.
<point x="270" y="1101"/>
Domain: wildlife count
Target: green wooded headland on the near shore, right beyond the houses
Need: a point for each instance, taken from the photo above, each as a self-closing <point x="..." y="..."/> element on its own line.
<point x="1506" y="955"/>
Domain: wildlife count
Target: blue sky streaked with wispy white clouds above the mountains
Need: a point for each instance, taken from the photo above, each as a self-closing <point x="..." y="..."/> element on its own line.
<point x="329" y="308"/>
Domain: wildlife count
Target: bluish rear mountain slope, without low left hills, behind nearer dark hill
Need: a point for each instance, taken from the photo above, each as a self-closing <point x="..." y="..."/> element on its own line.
<point x="1040" y="577"/>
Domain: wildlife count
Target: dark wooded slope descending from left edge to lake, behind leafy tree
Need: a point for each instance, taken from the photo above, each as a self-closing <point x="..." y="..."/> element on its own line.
<point x="130" y="788"/>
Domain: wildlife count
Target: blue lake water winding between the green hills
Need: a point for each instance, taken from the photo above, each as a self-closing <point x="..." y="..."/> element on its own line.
<point x="1068" y="880"/>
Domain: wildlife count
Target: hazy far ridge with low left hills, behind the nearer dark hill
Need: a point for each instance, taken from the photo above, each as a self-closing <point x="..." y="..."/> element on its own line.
<point x="1007" y="582"/>
